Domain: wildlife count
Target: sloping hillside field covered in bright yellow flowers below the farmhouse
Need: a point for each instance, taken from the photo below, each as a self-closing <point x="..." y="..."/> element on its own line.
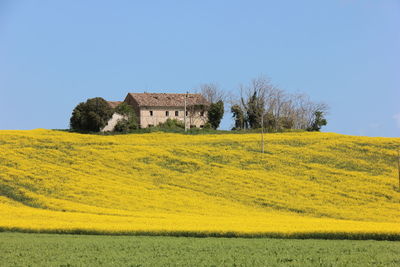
<point x="305" y="185"/>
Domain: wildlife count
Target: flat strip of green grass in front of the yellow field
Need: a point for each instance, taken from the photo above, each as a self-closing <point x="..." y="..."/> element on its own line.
<point x="18" y="249"/>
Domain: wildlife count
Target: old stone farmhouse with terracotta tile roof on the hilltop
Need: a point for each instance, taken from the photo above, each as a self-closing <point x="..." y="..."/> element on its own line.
<point x="154" y="108"/>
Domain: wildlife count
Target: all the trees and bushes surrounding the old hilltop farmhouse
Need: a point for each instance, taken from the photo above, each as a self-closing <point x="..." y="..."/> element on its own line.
<point x="259" y="104"/>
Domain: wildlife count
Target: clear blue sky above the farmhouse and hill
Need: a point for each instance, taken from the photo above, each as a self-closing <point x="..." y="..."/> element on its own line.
<point x="55" y="54"/>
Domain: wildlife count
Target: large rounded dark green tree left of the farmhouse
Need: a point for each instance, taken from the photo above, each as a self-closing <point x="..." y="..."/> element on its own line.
<point x="91" y="115"/>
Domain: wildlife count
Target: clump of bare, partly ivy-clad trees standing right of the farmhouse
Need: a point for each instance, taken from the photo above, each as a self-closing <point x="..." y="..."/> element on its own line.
<point x="262" y="101"/>
